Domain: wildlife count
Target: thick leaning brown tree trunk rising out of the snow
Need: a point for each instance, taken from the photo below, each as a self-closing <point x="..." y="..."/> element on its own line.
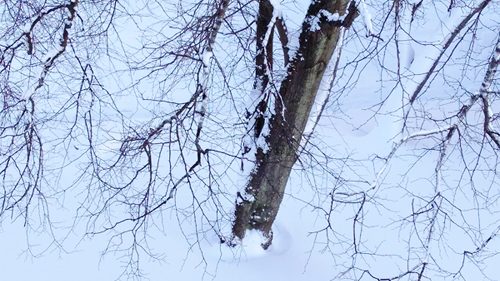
<point x="298" y="90"/>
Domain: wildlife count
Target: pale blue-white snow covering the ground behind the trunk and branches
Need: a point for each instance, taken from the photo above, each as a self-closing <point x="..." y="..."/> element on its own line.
<point x="359" y="129"/>
